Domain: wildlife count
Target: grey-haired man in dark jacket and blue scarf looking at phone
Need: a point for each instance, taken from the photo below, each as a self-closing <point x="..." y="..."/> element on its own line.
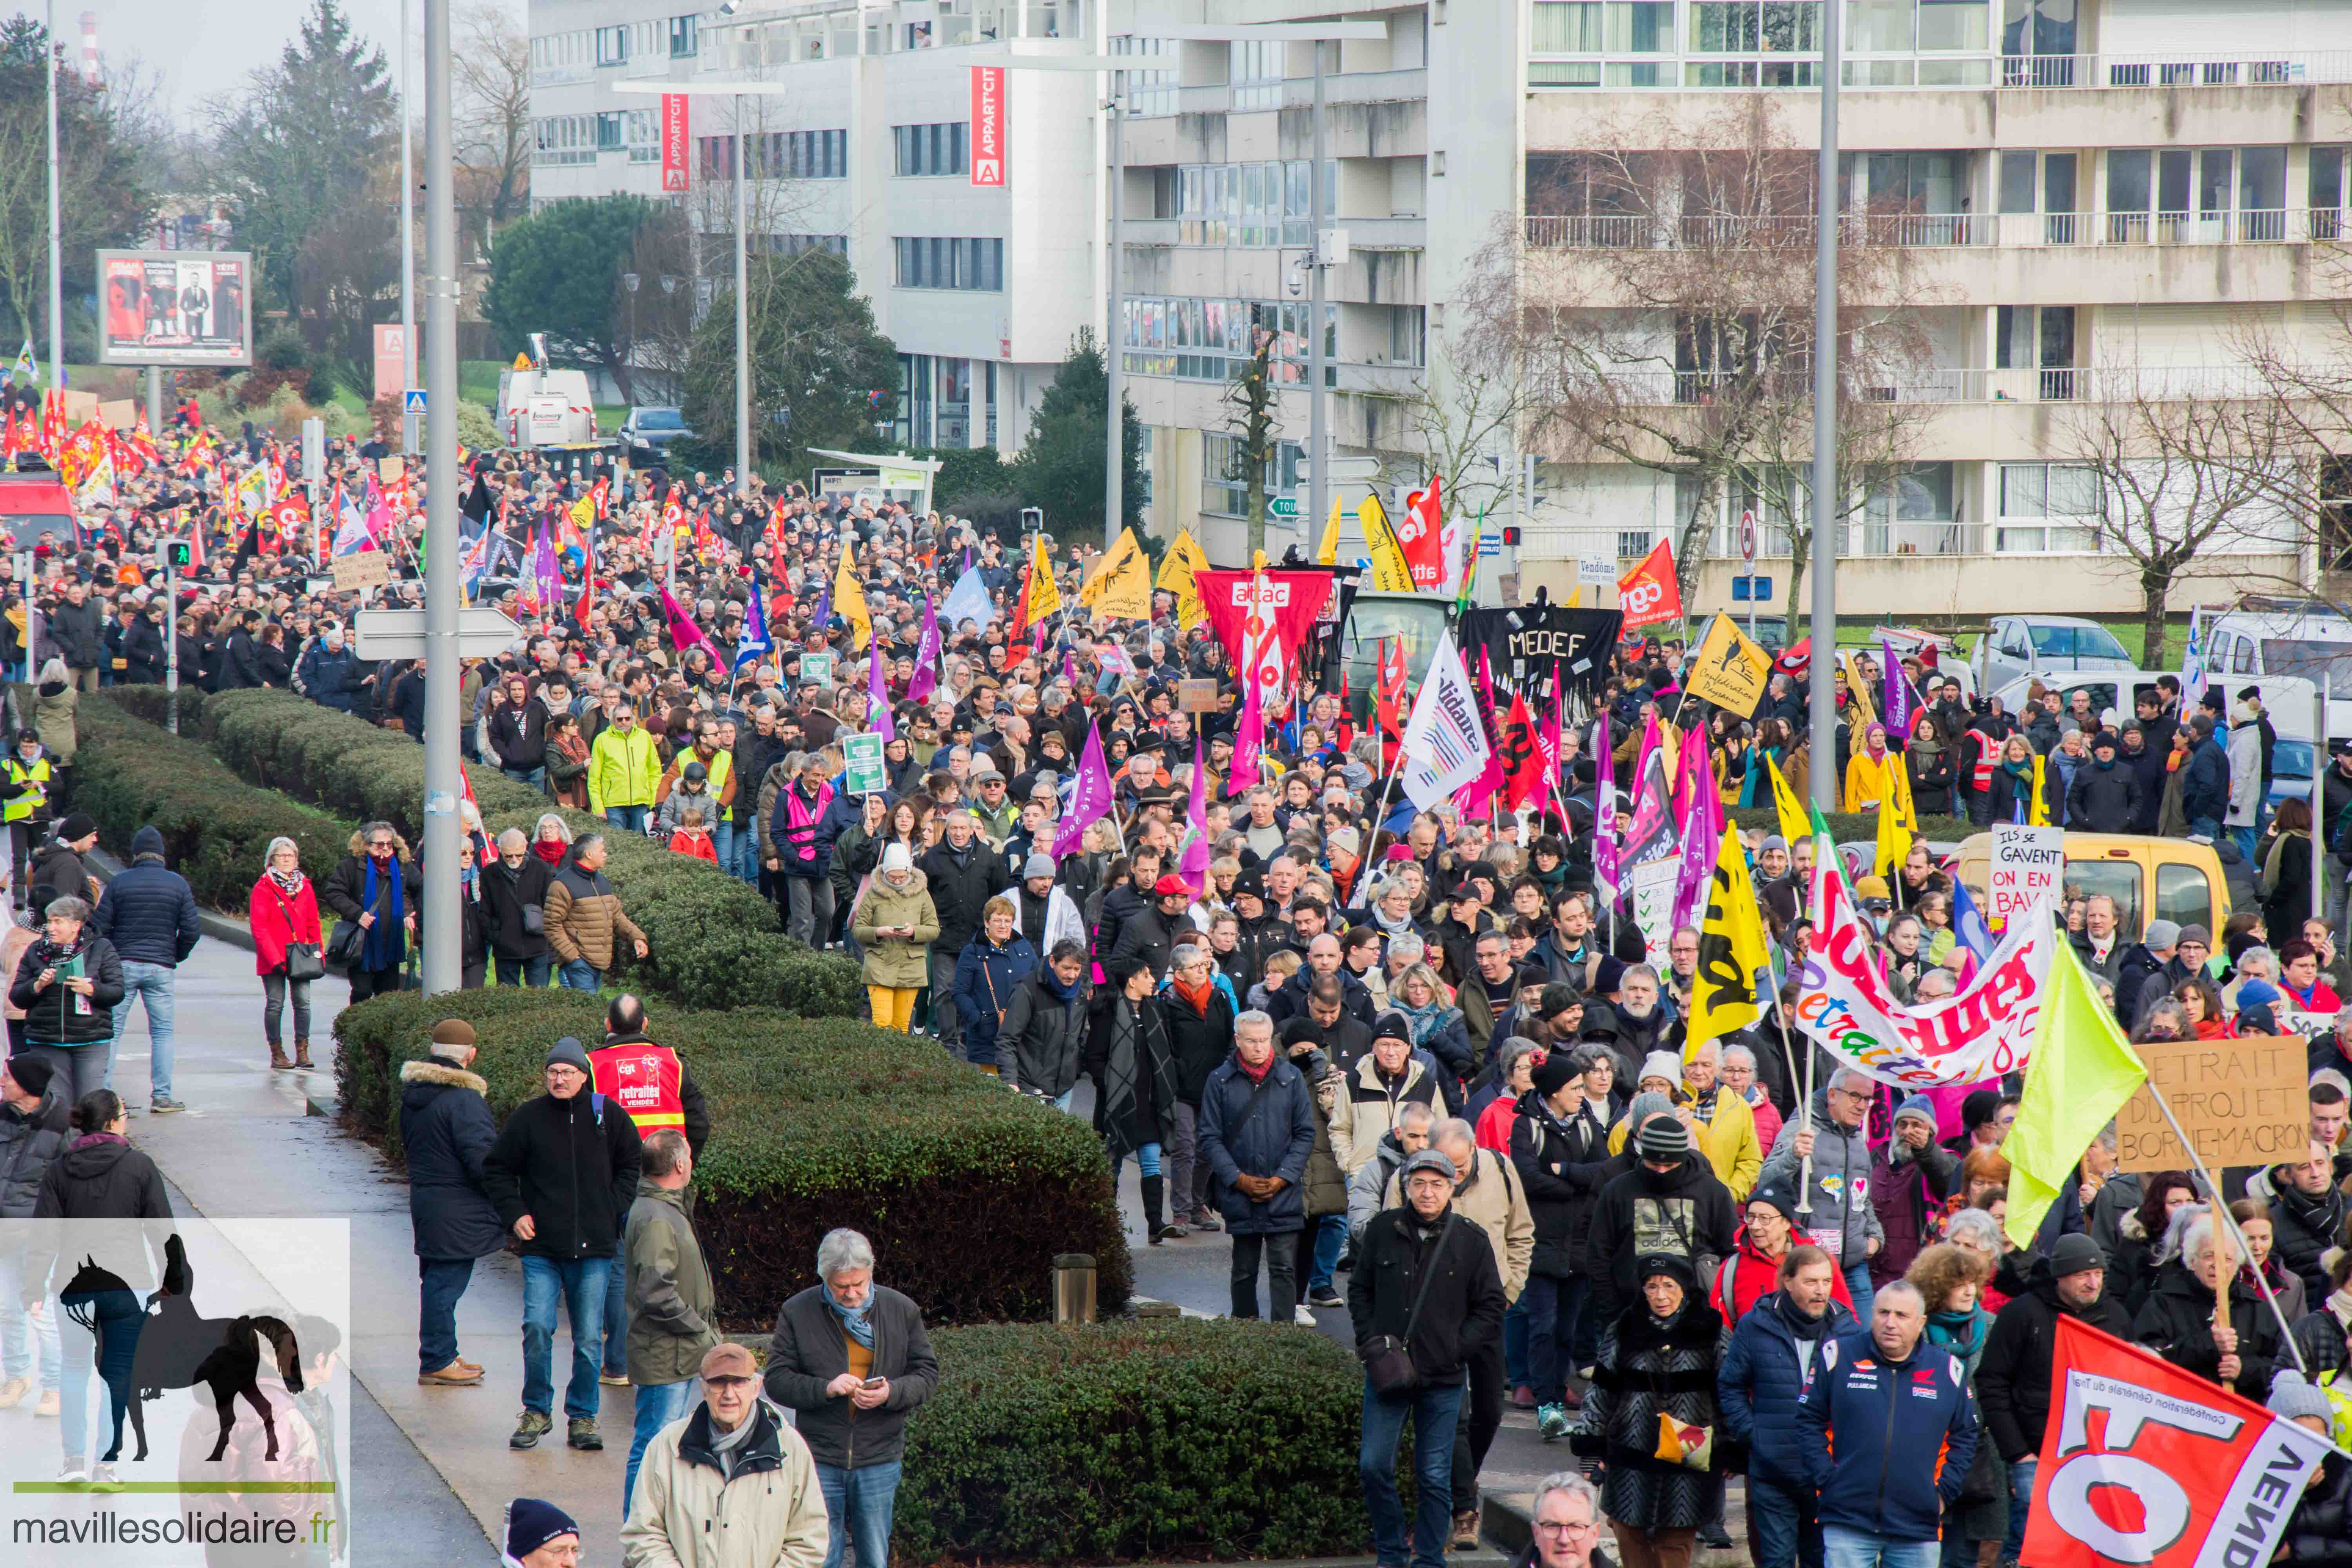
<point x="853" y="1360"/>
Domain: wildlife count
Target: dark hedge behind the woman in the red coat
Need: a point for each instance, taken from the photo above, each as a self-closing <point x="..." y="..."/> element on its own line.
<point x="215" y="826"/>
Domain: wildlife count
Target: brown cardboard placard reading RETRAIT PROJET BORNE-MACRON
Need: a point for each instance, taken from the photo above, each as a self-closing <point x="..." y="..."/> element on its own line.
<point x="2243" y="1104"/>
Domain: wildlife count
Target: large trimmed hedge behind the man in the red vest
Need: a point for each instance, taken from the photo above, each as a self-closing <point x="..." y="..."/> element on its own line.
<point x="965" y="1188"/>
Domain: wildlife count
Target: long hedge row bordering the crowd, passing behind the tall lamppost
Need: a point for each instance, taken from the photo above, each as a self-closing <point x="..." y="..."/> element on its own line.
<point x="714" y="942"/>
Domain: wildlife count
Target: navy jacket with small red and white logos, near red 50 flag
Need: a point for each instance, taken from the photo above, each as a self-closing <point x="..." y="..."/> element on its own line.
<point x="1887" y="1445"/>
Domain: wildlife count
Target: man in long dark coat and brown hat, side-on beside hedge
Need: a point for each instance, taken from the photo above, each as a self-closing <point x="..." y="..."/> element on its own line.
<point x="446" y="1134"/>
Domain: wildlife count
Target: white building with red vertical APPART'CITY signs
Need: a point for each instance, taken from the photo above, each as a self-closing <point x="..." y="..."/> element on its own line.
<point x="869" y="154"/>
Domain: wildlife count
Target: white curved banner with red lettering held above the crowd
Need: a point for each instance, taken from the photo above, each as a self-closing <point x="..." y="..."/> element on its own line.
<point x="1982" y="1033"/>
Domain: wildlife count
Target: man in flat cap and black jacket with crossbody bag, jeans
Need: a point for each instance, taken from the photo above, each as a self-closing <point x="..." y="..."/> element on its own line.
<point x="1422" y="1249"/>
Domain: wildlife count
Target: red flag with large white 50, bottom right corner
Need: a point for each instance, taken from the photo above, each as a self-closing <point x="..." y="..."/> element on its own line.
<point x="2156" y="1468"/>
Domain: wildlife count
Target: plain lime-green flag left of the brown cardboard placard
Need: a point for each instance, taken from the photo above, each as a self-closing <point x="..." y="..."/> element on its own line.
<point x="2080" y="1076"/>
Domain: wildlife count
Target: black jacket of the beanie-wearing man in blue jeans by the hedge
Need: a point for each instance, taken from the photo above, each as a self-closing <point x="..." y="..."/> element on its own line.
<point x="573" y="1167"/>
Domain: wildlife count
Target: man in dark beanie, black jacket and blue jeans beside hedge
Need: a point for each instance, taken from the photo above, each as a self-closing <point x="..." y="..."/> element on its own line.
<point x="563" y="1177"/>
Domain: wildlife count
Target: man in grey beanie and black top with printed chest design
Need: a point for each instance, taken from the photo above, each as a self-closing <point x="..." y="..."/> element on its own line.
<point x="1671" y="1202"/>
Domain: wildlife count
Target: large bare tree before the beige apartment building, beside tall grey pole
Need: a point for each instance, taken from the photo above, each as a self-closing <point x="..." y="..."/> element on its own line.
<point x="1662" y="314"/>
